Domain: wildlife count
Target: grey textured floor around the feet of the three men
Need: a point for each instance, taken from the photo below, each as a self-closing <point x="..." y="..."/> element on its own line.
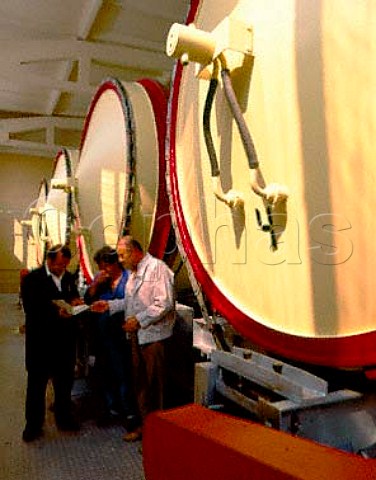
<point x="92" y="454"/>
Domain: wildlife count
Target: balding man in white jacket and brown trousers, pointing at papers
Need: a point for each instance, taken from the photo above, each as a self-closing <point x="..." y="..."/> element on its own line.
<point x="149" y="308"/>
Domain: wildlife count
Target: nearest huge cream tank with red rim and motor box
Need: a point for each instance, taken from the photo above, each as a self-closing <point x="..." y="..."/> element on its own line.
<point x="298" y="278"/>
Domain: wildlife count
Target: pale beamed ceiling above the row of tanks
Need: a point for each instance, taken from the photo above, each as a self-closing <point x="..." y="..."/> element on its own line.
<point x="55" y="53"/>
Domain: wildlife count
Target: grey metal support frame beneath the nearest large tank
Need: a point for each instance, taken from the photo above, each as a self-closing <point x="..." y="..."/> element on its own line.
<point x="287" y="398"/>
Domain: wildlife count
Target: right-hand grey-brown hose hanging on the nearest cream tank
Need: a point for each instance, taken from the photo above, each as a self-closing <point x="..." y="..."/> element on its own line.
<point x="238" y="116"/>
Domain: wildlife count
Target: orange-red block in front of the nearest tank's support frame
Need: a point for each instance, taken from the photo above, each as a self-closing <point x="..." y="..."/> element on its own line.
<point x="195" y="443"/>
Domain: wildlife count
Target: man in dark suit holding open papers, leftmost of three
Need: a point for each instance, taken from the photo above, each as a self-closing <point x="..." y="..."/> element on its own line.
<point x="50" y="348"/>
